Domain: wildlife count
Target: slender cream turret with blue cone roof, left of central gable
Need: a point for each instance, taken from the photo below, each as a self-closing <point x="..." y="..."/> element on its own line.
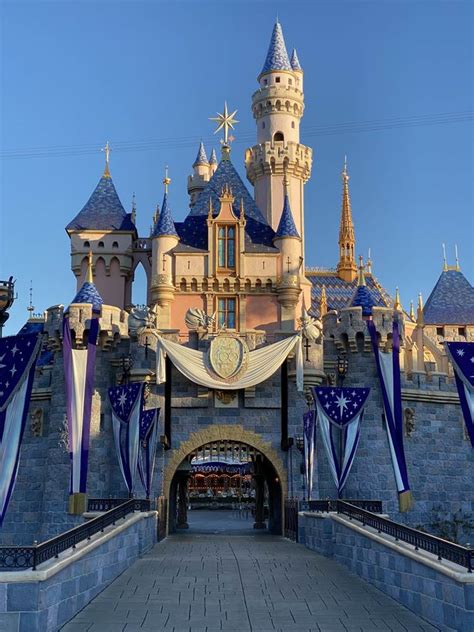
<point x="164" y="239"/>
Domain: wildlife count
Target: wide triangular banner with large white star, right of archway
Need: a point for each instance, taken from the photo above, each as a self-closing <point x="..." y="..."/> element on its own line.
<point x="339" y="413"/>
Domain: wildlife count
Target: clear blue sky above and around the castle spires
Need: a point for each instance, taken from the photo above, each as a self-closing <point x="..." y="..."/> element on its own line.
<point x="75" y="74"/>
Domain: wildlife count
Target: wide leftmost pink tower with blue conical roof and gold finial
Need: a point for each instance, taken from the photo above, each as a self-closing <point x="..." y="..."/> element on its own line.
<point x="108" y="231"/>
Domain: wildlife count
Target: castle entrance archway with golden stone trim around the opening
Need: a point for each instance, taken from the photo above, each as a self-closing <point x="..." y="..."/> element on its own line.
<point x="231" y="478"/>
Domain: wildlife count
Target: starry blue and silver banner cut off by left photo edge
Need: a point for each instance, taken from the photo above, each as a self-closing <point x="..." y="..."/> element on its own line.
<point x="18" y="356"/>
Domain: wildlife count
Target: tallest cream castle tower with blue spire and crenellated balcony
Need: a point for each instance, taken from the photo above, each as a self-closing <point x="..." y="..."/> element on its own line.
<point x="278" y="107"/>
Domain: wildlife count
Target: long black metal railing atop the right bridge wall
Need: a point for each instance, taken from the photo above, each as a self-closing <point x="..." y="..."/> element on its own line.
<point x="443" y="549"/>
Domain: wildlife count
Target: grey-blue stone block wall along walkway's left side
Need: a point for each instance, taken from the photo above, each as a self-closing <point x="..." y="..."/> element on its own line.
<point x="35" y="601"/>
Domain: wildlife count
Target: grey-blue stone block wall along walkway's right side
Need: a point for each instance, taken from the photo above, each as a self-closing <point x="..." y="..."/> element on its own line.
<point x="439" y="592"/>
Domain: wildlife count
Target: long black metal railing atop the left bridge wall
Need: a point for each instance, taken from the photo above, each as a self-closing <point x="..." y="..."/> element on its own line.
<point x="23" y="557"/>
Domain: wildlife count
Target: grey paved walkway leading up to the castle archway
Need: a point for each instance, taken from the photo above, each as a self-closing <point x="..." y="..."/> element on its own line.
<point x="258" y="583"/>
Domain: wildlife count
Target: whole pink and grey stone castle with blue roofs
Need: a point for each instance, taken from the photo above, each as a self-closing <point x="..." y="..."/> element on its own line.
<point x="238" y="259"/>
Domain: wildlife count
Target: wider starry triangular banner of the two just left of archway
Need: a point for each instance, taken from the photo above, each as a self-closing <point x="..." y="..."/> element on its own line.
<point x="127" y="402"/>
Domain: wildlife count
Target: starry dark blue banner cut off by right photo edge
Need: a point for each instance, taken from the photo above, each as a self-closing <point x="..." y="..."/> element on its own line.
<point x="461" y="355"/>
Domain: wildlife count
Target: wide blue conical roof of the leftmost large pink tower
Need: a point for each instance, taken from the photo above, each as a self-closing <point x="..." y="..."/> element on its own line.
<point x="103" y="210"/>
